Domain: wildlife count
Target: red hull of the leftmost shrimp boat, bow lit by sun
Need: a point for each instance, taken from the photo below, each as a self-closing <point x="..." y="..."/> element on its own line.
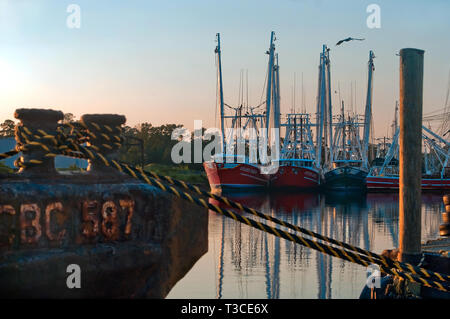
<point x="238" y="176"/>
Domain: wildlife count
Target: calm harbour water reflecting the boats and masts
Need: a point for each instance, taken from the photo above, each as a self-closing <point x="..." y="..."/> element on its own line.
<point x="243" y="262"/>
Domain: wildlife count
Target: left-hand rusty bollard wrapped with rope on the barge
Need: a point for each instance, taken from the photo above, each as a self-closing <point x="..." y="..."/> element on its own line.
<point x="33" y="120"/>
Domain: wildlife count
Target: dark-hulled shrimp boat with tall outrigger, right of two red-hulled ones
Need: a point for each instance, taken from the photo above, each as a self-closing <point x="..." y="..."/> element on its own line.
<point x="349" y="155"/>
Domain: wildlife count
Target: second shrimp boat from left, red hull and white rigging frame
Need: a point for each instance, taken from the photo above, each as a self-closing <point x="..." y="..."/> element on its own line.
<point x="297" y="169"/>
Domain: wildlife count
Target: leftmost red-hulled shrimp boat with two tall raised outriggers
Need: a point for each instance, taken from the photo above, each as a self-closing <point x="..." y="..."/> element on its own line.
<point x="230" y="171"/>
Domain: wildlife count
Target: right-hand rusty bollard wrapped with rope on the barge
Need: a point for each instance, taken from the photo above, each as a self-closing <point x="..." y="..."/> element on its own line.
<point x="105" y="135"/>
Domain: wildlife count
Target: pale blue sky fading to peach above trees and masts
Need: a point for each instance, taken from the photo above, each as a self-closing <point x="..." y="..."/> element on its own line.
<point x="154" y="61"/>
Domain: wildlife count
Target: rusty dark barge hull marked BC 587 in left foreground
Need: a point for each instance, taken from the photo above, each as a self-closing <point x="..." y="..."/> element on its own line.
<point x="129" y="239"/>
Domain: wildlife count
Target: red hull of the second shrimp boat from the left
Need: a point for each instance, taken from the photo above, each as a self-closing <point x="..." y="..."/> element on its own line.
<point x="289" y="176"/>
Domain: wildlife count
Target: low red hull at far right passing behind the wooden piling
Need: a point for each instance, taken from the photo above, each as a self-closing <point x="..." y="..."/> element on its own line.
<point x="391" y="183"/>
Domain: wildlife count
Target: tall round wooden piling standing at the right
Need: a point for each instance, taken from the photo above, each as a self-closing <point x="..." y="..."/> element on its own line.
<point x="411" y="96"/>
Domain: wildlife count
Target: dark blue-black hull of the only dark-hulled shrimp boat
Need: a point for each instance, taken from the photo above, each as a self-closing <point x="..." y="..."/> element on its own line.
<point x="346" y="178"/>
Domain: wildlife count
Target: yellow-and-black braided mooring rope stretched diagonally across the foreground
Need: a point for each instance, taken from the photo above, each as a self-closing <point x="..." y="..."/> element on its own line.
<point x="350" y="253"/>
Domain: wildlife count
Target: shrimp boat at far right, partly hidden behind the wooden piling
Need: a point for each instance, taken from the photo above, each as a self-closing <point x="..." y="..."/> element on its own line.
<point x="436" y="172"/>
